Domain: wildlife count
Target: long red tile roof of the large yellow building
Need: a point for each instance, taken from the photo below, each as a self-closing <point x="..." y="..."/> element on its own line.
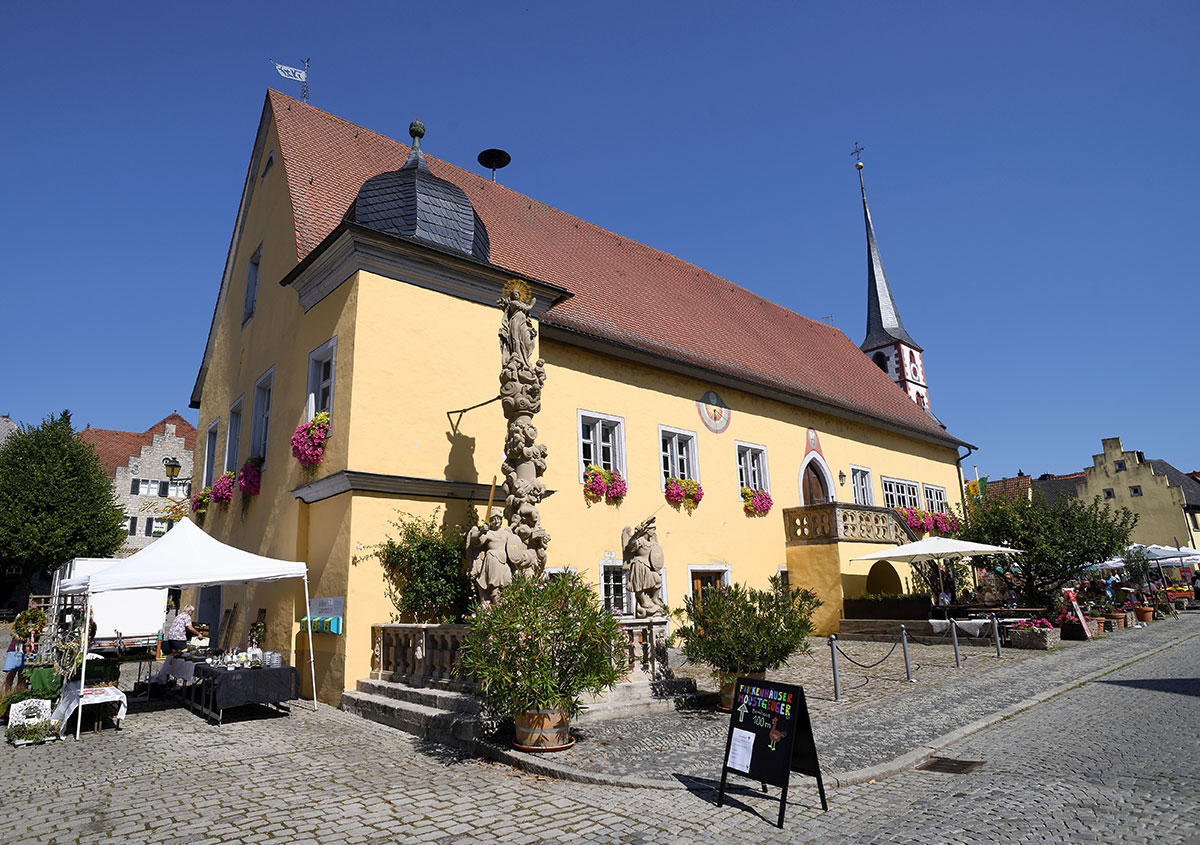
<point x="625" y="292"/>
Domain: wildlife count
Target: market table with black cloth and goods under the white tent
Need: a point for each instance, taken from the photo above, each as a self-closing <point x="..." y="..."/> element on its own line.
<point x="214" y="685"/>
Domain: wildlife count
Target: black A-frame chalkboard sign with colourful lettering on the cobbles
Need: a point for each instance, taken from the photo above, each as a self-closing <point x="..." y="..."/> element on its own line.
<point x="771" y="738"/>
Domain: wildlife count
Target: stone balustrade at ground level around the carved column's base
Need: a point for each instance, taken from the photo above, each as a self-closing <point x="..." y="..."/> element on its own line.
<point x="419" y="654"/>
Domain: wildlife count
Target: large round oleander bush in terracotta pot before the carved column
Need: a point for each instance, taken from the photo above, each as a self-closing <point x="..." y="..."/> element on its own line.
<point x="537" y="650"/>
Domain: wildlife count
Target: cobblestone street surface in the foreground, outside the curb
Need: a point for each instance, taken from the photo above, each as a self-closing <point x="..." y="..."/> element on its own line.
<point x="1111" y="762"/>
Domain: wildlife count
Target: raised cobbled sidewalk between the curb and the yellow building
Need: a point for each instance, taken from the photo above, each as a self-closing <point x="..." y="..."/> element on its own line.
<point x="868" y="728"/>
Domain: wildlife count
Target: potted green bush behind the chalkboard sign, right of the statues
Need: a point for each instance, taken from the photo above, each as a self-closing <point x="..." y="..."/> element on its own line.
<point x="745" y="632"/>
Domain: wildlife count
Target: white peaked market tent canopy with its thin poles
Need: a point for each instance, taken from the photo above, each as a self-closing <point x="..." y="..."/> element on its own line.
<point x="189" y="558"/>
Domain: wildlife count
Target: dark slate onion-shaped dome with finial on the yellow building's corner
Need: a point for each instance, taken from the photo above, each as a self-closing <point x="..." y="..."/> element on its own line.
<point x="413" y="203"/>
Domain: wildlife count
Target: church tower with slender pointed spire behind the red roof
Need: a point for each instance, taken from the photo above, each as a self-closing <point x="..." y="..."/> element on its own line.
<point x="887" y="343"/>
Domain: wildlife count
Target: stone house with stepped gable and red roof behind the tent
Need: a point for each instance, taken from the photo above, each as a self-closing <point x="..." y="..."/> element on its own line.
<point x="135" y="463"/>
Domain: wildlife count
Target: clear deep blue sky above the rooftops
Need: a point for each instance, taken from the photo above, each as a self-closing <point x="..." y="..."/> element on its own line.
<point x="1031" y="170"/>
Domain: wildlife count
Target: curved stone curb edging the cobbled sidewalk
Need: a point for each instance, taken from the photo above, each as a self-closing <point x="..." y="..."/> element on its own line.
<point x="547" y="768"/>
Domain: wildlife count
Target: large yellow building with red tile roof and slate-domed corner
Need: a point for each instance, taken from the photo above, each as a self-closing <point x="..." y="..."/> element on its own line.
<point x="363" y="280"/>
